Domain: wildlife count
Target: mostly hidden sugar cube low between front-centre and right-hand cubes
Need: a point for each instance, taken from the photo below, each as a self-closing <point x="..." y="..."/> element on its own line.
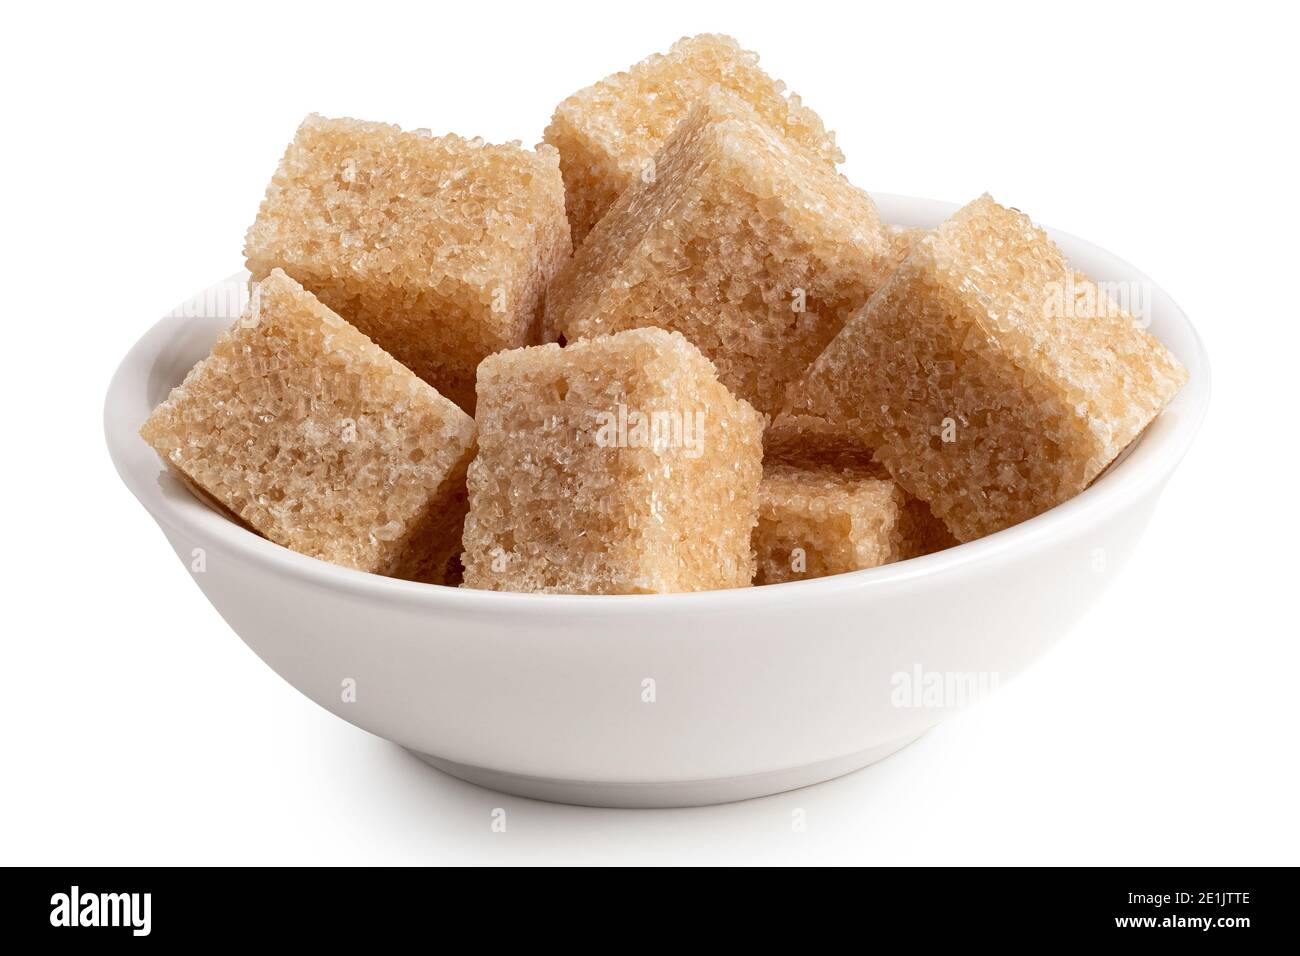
<point x="825" y="520"/>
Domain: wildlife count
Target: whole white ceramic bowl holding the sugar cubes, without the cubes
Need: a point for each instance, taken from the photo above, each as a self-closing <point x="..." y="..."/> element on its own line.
<point x="755" y="691"/>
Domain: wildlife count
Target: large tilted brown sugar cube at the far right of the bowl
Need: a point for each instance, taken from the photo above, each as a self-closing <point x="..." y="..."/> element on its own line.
<point x="990" y="378"/>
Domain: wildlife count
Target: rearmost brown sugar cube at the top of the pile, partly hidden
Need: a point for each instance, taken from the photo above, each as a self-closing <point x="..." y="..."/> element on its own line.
<point x="609" y="133"/>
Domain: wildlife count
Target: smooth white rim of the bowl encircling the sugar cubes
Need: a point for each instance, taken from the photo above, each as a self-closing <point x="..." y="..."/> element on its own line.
<point x="1146" y="464"/>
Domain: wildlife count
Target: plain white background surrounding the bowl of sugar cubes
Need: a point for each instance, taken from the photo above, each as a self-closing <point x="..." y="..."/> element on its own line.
<point x="137" y="729"/>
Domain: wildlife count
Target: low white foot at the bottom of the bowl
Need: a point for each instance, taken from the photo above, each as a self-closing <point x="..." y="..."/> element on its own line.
<point x="652" y="795"/>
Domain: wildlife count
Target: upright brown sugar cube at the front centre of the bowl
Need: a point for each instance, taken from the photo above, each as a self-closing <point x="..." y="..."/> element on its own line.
<point x="617" y="465"/>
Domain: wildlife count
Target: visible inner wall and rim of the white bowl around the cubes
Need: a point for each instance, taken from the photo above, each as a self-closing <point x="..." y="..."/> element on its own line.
<point x="166" y="354"/>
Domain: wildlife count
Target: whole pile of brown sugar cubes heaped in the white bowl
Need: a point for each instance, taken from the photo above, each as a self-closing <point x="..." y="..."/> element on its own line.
<point x="669" y="349"/>
